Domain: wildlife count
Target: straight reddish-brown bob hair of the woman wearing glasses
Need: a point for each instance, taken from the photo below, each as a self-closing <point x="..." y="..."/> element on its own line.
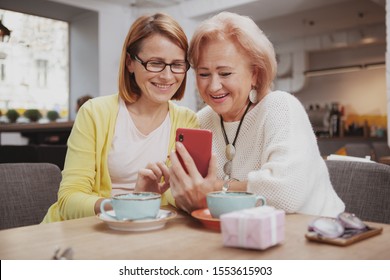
<point x="142" y="28"/>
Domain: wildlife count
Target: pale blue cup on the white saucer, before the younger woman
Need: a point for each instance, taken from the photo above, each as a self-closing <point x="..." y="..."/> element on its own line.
<point x="133" y="206"/>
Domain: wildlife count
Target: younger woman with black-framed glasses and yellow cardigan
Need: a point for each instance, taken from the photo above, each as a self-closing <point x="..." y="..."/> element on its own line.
<point x="119" y="143"/>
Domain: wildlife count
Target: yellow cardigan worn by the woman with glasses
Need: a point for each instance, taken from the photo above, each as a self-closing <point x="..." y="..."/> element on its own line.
<point x="85" y="177"/>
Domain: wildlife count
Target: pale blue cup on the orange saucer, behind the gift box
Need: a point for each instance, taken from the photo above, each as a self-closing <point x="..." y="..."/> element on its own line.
<point x="221" y="202"/>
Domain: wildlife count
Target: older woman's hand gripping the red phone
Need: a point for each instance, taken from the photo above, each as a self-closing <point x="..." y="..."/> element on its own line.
<point x="189" y="190"/>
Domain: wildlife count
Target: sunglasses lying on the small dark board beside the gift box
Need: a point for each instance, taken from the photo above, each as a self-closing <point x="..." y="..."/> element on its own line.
<point x="345" y="225"/>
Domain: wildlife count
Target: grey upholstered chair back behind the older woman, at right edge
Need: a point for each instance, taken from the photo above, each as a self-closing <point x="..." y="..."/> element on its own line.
<point x="364" y="187"/>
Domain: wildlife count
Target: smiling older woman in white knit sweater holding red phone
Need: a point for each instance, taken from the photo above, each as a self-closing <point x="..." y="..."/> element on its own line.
<point x="263" y="141"/>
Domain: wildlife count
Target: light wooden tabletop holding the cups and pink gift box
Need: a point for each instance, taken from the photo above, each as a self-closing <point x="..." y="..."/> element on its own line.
<point x="182" y="238"/>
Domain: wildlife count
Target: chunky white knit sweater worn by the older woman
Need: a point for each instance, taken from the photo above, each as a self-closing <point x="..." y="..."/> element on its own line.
<point x="277" y="153"/>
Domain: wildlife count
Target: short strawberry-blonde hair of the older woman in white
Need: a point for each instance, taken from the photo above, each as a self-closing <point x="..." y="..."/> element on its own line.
<point x="242" y="31"/>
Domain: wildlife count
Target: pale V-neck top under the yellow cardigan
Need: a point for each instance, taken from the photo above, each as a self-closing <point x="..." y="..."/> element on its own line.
<point x="131" y="150"/>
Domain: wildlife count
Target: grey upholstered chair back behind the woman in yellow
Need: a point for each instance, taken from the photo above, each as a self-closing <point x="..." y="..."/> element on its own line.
<point x="27" y="190"/>
